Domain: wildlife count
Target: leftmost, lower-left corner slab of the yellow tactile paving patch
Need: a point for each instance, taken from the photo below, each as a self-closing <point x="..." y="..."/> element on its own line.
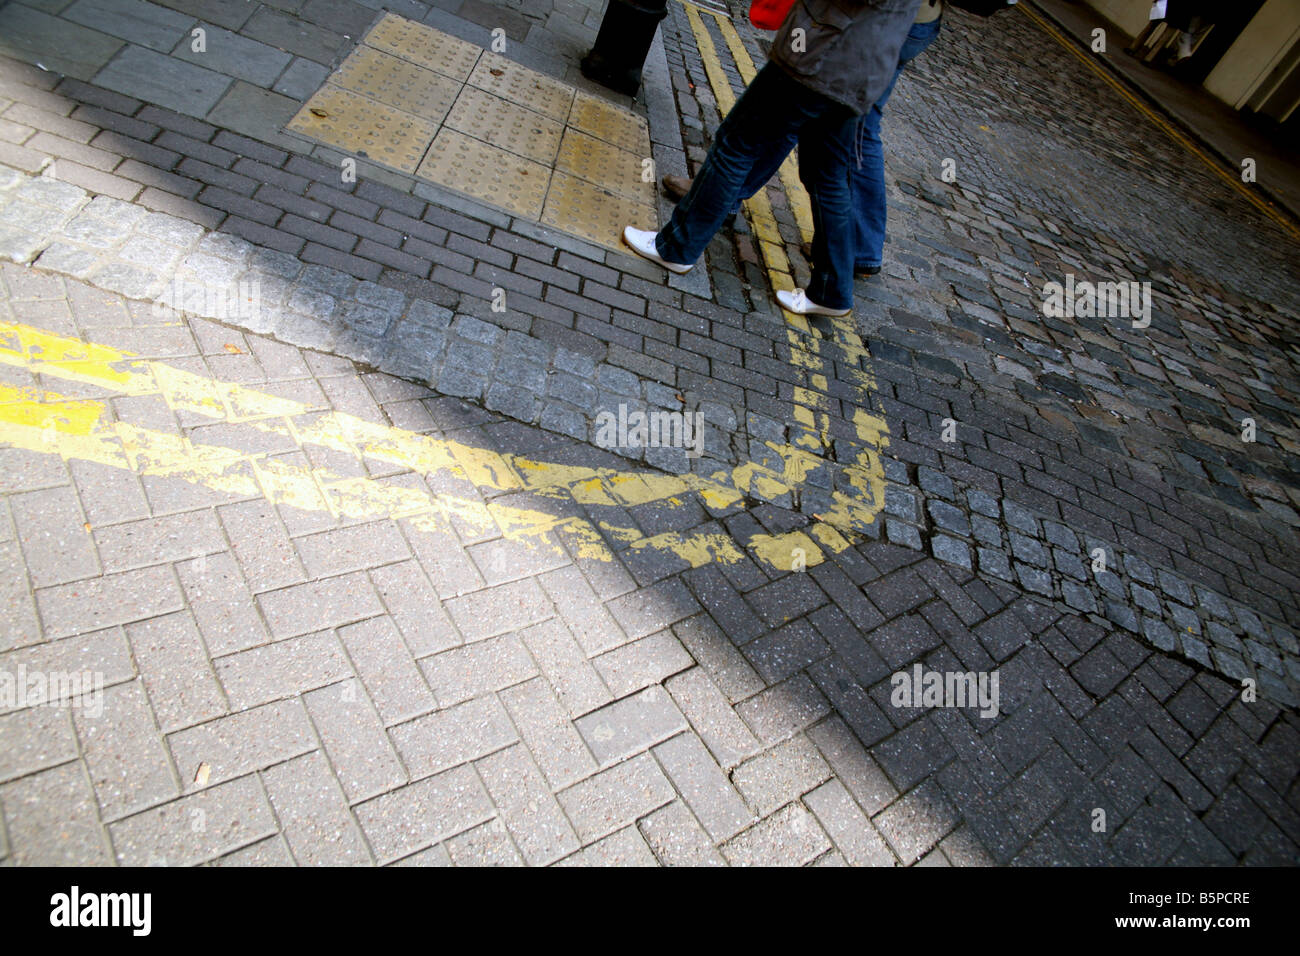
<point x="359" y="126"/>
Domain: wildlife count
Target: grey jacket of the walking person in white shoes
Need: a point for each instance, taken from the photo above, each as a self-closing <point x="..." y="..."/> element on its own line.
<point x="848" y="50"/>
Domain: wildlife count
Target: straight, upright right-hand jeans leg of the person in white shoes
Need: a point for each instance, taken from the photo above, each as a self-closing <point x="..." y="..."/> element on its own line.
<point x="826" y="157"/>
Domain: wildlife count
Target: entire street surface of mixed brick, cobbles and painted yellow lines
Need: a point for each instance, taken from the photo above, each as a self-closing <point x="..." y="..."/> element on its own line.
<point x="306" y="473"/>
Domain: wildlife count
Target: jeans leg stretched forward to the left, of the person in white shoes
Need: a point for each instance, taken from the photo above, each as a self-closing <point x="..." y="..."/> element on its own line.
<point x="759" y="133"/>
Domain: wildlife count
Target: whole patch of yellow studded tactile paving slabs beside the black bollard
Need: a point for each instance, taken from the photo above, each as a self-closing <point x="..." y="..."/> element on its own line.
<point x="434" y="106"/>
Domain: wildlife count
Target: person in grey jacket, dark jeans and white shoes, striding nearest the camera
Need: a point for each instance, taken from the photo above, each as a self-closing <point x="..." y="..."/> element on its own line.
<point x="831" y="62"/>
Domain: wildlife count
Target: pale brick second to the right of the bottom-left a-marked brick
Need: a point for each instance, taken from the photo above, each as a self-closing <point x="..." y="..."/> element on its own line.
<point x="424" y="814"/>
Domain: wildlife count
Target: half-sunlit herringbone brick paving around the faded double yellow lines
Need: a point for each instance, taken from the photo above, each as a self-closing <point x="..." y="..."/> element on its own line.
<point x="357" y="703"/>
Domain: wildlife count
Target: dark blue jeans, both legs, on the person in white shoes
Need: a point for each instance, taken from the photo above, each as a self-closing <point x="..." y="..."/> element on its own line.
<point x="757" y="136"/>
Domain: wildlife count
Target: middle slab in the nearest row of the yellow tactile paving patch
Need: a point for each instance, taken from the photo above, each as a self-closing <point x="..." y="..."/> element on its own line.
<point x="487" y="172"/>
